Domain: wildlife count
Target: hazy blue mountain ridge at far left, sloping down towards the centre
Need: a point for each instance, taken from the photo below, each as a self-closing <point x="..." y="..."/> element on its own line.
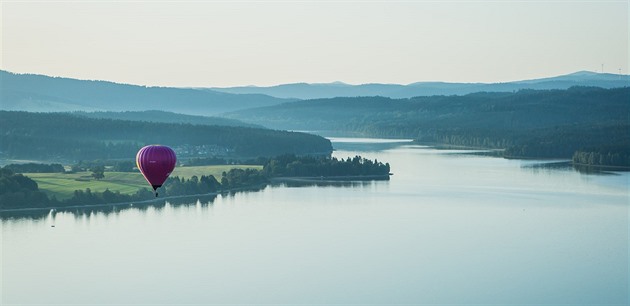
<point x="39" y="93"/>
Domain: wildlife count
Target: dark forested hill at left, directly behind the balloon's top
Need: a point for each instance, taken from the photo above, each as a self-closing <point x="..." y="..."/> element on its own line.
<point x="59" y="136"/>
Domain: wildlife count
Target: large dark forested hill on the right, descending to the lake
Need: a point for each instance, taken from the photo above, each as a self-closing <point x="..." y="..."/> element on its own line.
<point x="531" y="123"/>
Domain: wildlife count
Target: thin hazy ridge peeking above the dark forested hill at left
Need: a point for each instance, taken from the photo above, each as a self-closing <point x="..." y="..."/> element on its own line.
<point x="166" y="117"/>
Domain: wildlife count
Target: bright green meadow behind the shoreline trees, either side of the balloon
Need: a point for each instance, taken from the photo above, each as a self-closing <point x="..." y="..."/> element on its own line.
<point x="63" y="185"/>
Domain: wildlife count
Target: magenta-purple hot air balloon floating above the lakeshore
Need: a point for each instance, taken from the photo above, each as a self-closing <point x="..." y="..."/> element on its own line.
<point x="156" y="163"/>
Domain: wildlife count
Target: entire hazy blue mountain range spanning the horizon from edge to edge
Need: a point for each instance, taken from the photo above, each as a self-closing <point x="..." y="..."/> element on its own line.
<point x="39" y="93"/>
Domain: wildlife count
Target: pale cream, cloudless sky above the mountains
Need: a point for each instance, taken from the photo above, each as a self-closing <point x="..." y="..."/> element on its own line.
<point x="238" y="43"/>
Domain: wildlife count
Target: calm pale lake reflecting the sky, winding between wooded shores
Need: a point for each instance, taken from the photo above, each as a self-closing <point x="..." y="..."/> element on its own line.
<point x="447" y="228"/>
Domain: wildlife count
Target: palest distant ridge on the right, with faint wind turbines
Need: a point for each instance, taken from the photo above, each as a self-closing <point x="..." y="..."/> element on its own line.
<point x="338" y="89"/>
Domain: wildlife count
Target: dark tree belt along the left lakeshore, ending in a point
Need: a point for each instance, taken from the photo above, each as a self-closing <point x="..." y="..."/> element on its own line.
<point x="19" y="191"/>
